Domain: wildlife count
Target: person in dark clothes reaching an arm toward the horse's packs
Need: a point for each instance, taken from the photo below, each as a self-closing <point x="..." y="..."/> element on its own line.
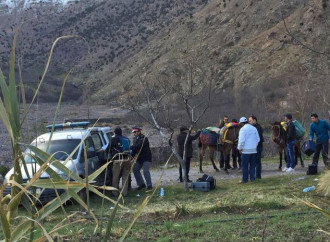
<point x="181" y="138"/>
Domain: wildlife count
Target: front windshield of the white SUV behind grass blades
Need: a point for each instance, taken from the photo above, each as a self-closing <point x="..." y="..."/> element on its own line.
<point x="62" y="148"/>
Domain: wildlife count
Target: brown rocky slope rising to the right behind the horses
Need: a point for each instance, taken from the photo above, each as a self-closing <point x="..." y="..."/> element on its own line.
<point x="257" y="64"/>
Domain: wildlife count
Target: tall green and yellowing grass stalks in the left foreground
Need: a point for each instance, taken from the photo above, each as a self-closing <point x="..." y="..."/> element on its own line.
<point x="15" y="228"/>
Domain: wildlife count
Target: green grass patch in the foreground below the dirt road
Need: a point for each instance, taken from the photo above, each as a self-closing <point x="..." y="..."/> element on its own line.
<point x="269" y="209"/>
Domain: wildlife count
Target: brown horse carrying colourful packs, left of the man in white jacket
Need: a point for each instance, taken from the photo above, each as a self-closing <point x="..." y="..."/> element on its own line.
<point x="226" y="144"/>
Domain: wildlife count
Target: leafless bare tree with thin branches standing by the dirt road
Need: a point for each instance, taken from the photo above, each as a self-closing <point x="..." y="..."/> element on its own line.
<point x="184" y="86"/>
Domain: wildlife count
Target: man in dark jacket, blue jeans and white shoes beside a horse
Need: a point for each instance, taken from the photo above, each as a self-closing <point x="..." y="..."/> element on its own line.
<point x="290" y="140"/>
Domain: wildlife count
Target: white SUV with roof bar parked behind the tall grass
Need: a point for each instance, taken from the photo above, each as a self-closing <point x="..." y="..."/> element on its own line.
<point x="63" y="143"/>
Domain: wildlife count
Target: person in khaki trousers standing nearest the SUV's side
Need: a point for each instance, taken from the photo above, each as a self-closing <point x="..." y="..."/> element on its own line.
<point x="119" y="151"/>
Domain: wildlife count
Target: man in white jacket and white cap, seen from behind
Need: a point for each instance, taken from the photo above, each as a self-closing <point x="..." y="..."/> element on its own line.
<point x="248" y="140"/>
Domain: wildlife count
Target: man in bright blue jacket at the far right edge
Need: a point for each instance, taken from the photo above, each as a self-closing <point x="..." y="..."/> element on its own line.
<point x="321" y="129"/>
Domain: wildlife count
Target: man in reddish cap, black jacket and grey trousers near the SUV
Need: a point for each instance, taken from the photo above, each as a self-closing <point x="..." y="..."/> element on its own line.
<point x="142" y="153"/>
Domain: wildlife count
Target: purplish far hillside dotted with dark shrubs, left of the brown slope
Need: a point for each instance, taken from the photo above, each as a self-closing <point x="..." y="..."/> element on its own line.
<point x="110" y="33"/>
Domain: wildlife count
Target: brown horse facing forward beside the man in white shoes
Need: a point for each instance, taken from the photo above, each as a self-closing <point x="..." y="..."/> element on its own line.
<point x="278" y="137"/>
